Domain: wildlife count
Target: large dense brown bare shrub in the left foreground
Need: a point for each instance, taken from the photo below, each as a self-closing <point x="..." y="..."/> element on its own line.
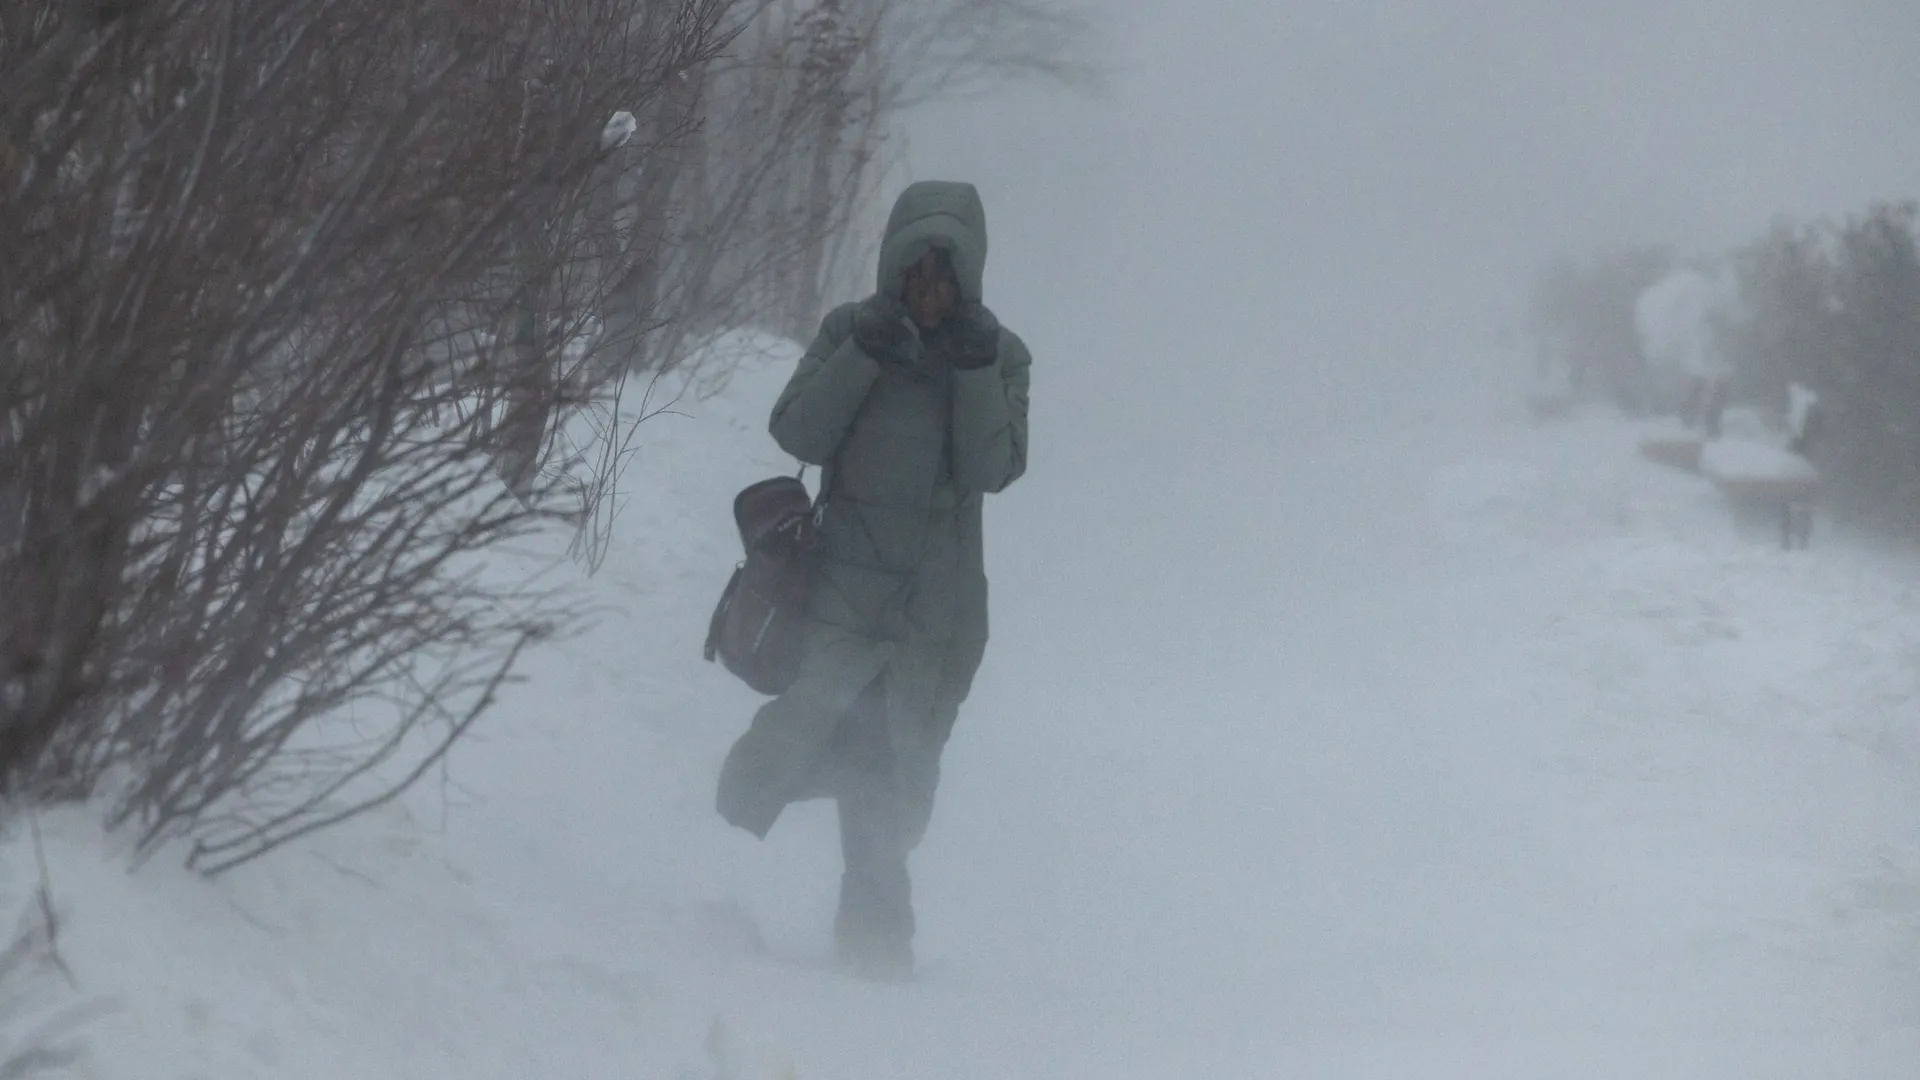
<point x="302" y="283"/>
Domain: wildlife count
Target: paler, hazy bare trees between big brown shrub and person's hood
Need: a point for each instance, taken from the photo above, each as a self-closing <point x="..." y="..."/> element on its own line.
<point x="773" y="201"/>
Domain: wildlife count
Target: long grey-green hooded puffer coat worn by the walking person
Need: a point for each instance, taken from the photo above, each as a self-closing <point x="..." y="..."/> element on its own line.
<point x="901" y="595"/>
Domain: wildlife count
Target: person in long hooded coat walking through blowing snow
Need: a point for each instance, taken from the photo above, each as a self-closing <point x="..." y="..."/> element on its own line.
<point x="915" y="406"/>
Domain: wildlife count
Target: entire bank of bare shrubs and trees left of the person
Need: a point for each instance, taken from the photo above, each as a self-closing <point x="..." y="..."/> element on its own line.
<point x="299" y="297"/>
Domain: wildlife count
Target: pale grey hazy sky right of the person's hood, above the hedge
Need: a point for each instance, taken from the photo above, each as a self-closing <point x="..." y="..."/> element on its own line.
<point x="1266" y="159"/>
